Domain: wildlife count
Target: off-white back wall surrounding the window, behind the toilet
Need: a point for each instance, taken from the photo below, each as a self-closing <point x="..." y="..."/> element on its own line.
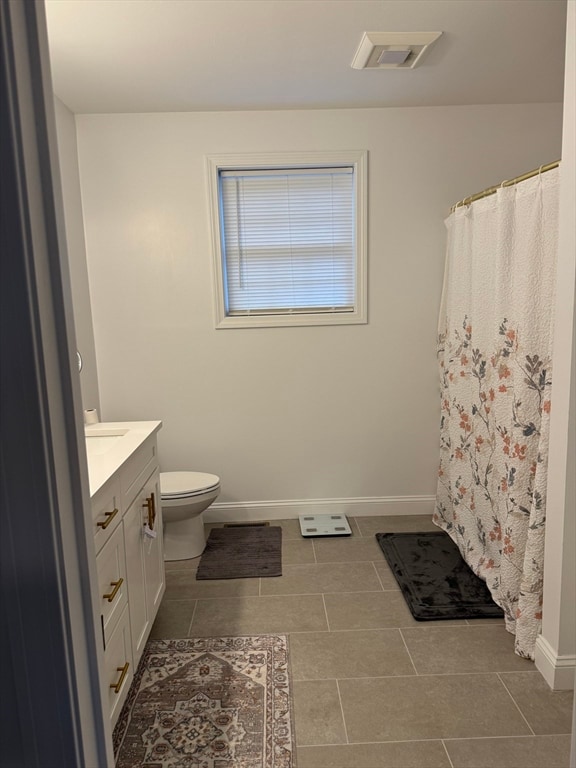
<point x="286" y="413"/>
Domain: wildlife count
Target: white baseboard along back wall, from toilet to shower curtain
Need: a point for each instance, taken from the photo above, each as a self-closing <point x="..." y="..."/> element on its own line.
<point x="247" y="511"/>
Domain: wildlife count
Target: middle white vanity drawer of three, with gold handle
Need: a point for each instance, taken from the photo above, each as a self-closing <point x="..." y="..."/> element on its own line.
<point x="112" y="583"/>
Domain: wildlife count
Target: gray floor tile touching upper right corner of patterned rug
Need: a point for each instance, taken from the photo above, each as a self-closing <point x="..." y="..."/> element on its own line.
<point x="369" y="653"/>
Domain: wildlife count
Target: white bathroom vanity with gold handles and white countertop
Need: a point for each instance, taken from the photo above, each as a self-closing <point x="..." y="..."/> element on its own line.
<point x="127" y="526"/>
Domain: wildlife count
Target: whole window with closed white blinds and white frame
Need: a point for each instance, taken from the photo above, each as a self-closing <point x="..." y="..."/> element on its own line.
<point x="289" y="238"/>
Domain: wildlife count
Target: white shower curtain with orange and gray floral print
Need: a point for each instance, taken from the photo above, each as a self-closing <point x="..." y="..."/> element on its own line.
<point x="494" y="353"/>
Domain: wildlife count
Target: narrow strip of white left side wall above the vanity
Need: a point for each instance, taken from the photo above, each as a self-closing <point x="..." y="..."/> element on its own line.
<point x="68" y="159"/>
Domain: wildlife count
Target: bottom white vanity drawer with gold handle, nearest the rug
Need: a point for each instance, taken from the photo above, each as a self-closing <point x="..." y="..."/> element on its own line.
<point x="118" y="668"/>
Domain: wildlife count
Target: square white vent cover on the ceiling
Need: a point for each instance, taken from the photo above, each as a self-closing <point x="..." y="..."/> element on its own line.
<point x="392" y="50"/>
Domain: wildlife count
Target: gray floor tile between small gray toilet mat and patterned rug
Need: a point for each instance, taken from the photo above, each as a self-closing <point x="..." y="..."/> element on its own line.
<point x="259" y="615"/>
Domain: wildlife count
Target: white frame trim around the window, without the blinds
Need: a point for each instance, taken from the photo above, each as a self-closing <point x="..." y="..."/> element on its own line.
<point x="358" y="159"/>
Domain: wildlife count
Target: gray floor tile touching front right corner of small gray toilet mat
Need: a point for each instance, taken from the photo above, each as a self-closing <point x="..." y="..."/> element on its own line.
<point x="323" y="577"/>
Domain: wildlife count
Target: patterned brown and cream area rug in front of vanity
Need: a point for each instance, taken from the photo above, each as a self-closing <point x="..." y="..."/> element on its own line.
<point x="209" y="703"/>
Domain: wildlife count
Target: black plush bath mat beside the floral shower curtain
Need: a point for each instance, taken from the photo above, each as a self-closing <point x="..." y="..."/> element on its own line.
<point x="435" y="580"/>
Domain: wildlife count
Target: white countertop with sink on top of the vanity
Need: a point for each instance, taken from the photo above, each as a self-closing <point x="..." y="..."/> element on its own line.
<point x="109" y="444"/>
